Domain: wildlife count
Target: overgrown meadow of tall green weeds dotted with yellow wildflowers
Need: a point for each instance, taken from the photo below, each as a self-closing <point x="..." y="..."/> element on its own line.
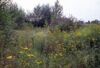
<point x="42" y="48"/>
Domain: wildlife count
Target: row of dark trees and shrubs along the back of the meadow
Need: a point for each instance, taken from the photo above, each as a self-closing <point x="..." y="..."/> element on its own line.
<point x="42" y="15"/>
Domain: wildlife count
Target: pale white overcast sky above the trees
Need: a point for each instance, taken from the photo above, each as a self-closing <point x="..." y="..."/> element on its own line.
<point x="81" y="9"/>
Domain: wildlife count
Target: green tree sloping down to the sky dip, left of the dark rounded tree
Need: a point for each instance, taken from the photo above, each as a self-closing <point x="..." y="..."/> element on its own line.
<point x="17" y="15"/>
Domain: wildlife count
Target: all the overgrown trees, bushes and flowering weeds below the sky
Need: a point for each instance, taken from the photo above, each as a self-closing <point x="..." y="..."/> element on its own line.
<point x="46" y="39"/>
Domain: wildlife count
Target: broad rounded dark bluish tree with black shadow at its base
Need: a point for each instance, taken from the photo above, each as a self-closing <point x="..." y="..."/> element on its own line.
<point x="40" y="16"/>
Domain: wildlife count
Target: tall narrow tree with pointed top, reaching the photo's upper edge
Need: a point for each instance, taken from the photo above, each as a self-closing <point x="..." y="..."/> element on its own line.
<point x="56" y="13"/>
